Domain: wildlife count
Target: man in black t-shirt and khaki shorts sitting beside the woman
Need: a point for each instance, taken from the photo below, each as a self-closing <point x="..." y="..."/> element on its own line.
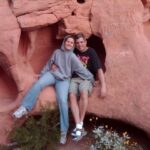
<point x="80" y="88"/>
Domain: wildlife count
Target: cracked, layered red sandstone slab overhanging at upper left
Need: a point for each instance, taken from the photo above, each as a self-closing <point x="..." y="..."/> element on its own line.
<point x="35" y="14"/>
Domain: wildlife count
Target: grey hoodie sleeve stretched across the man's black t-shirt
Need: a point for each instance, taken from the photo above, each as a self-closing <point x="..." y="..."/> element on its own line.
<point x="79" y="69"/>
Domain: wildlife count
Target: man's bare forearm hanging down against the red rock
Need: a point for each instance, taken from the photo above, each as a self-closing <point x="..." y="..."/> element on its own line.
<point x="101" y="79"/>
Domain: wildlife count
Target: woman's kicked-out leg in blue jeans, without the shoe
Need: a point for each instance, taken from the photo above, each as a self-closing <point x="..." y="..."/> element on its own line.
<point x="30" y="99"/>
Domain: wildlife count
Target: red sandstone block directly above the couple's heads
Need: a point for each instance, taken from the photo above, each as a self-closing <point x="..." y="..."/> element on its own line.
<point x="79" y="21"/>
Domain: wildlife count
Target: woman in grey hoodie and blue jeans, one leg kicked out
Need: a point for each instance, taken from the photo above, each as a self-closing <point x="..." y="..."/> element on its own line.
<point x="66" y="63"/>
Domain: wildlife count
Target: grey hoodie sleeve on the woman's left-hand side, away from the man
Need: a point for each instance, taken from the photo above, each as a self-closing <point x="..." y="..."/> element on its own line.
<point x="48" y="65"/>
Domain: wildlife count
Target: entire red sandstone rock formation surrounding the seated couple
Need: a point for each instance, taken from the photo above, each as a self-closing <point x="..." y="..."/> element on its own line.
<point x="124" y="29"/>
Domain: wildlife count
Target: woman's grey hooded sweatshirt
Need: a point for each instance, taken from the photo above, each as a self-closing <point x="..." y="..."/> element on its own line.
<point x="67" y="63"/>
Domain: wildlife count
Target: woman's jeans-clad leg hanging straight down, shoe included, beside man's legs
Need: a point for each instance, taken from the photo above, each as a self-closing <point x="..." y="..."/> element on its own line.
<point x="62" y="89"/>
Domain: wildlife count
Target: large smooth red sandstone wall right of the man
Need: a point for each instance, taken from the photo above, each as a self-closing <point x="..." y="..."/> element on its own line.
<point x="127" y="62"/>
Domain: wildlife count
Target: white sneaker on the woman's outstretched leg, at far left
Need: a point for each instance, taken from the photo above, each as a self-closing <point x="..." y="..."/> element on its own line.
<point x="20" y="112"/>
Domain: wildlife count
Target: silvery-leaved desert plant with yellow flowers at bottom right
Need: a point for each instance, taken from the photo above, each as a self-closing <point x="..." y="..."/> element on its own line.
<point x="109" y="140"/>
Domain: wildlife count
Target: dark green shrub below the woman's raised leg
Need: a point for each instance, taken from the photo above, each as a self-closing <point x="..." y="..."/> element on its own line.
<point x="39" y="132"/>
